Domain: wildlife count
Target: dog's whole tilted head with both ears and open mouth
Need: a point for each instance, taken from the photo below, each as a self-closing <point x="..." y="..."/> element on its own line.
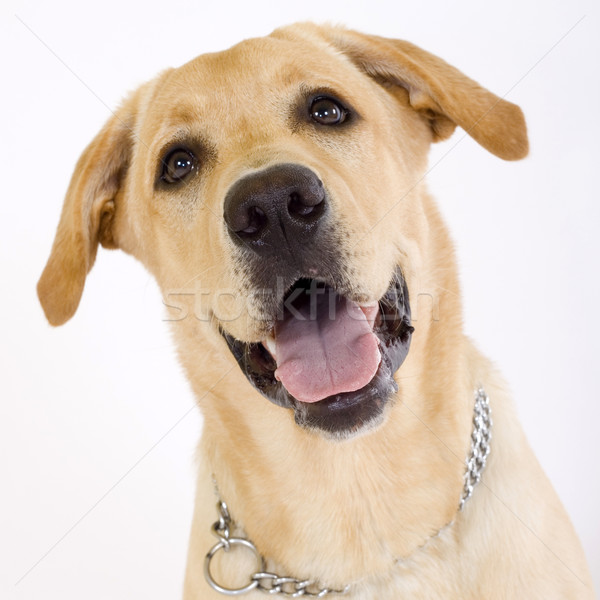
<point x="275" y="192"/>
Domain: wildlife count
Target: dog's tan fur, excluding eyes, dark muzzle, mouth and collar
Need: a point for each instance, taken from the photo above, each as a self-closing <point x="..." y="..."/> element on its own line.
<point x="362" y="510"/>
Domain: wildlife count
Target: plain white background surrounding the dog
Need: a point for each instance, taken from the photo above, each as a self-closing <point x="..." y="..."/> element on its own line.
<point x="97" y="423"/>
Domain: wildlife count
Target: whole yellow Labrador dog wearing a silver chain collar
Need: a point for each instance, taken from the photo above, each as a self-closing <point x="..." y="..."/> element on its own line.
<point x="355" y="442"/>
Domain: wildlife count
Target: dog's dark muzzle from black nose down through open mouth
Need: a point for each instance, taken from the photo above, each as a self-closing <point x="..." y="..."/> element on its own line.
<point x="325" y="355"/>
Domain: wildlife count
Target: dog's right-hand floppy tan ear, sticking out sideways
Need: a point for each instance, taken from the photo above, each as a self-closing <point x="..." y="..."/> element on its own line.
<point x="439" y="92"/>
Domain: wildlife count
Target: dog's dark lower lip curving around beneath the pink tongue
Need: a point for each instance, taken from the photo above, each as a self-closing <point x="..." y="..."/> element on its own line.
<point x="348" y="413"/>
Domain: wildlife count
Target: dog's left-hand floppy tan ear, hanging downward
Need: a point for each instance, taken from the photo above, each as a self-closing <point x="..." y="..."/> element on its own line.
<point x="87" y="214"/>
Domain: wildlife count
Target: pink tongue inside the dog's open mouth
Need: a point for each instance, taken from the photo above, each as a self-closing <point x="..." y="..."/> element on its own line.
<point x="335" y="351"/>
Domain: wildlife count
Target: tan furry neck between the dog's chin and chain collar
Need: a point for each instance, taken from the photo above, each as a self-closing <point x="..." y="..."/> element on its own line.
<point x="388" y="490"/>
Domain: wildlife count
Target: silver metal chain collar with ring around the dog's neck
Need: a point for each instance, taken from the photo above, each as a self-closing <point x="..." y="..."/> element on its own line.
<point x="290" y="587"/>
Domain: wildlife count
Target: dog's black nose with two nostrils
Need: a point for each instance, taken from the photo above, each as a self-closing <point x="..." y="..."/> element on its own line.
<point x="280" y="206"/>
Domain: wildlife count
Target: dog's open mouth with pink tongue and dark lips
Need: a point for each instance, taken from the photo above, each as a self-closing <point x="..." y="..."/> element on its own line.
<point x="330" y="359"/>
